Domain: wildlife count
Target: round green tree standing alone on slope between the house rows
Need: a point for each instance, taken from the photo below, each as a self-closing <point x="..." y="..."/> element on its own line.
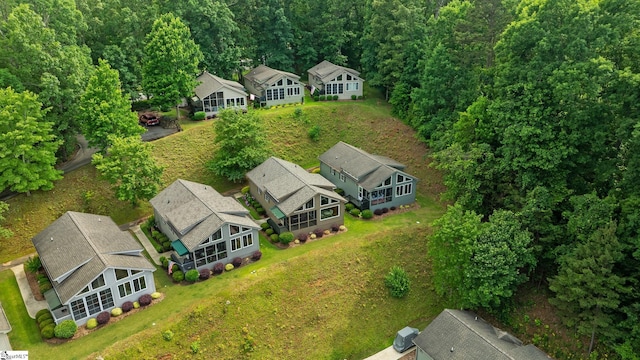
<point x="242" y="142"/>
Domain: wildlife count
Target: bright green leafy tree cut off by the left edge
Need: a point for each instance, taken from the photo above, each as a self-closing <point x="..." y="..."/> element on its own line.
<point x="27" y="144"/>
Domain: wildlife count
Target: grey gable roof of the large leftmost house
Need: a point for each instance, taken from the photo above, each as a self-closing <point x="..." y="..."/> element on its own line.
<point x="78" y="247"/>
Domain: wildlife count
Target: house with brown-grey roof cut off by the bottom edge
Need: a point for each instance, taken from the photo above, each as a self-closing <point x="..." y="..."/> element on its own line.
<point x="458" y="335"/>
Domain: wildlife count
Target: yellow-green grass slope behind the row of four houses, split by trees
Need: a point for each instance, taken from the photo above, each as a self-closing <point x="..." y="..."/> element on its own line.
<point x="366" y="124"/>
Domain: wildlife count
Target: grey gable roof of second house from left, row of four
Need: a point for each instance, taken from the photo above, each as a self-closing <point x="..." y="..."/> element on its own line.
<point x="195" y="211"/>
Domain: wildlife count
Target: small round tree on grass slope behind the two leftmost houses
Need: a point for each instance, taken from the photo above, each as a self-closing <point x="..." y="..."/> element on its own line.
<point x="130" y="168"/>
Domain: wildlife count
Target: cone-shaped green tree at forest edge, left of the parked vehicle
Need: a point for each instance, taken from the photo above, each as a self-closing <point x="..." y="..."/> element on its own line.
<point x="105" y="110"/>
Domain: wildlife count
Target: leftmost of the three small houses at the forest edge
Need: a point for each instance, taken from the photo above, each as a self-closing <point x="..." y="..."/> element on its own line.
<point x="215" y="93"/>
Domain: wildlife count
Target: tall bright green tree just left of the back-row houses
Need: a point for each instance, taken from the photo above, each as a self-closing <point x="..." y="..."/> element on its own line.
<point x="171" y="62"/>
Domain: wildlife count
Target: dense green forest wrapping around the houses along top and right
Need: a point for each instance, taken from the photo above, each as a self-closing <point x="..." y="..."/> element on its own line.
<point x="531" y="109"/>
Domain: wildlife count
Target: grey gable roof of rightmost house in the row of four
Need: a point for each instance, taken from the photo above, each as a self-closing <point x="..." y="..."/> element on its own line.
<point x="368" y="170"/>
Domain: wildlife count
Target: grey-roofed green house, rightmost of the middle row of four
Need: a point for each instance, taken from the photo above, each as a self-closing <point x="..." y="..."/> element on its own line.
<point x="369" y="181"/>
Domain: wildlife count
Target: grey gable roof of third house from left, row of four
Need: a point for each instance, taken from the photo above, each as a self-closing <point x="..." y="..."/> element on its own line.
<point x="289" y="184"/>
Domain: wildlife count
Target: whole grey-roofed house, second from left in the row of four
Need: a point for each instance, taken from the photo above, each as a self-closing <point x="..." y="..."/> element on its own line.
<point x="204" y="227"/>
